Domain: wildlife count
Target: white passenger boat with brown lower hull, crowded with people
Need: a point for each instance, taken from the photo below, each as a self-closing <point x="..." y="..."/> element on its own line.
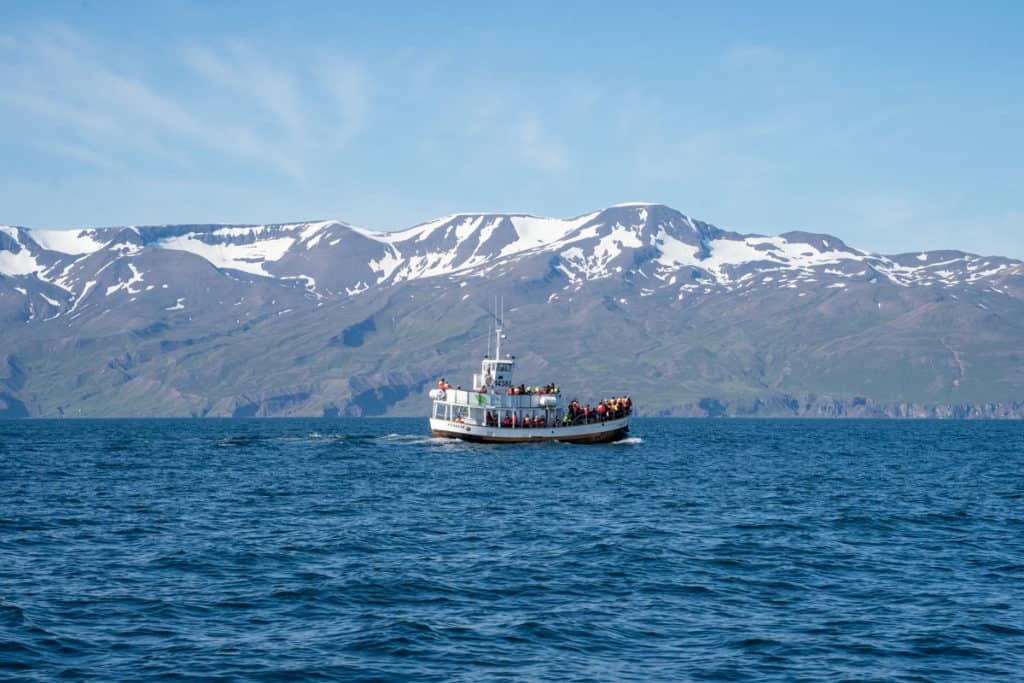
<point x="496" y="411"/>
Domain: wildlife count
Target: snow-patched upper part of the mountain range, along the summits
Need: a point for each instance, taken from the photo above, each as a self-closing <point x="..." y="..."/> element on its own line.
<point x="670" y="251"/>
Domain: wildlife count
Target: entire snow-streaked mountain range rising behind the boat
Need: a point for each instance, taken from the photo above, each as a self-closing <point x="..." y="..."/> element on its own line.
<point x="163" y="320"/>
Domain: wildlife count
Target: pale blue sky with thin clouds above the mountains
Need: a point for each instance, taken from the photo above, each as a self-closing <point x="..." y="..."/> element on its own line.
<point x="895" y="126"/>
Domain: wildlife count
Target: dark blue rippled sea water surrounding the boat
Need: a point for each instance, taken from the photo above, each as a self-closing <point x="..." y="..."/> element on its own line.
<point x="365" y="550"/>
